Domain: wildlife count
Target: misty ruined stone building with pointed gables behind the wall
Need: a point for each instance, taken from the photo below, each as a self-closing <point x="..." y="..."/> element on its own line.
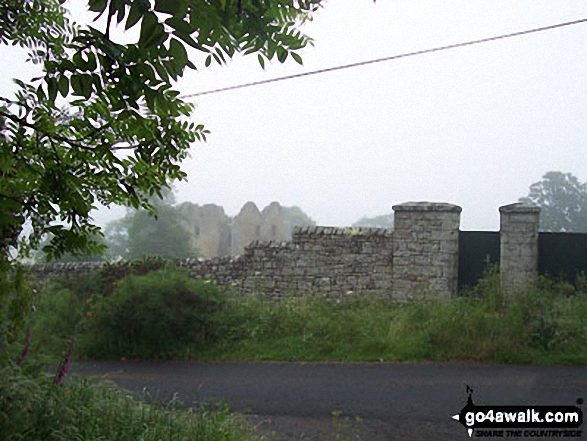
<point x="214" y="233"/>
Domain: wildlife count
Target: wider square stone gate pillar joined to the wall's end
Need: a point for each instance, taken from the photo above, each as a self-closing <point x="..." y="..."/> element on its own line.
<point x="425" y="250"/>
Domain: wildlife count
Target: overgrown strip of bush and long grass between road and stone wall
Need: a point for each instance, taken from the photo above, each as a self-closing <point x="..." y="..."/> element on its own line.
<point x="163" y="314"/>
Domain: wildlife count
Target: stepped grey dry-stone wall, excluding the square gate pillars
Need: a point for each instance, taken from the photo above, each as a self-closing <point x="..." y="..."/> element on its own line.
<point x="332" y="262"/>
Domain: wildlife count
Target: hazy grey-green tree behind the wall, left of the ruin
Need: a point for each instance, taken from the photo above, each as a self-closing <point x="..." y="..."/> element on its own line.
<point x="139" y="234"/>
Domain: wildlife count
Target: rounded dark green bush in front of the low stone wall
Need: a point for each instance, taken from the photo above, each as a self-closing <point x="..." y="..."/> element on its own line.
<point x="161" y="314"/>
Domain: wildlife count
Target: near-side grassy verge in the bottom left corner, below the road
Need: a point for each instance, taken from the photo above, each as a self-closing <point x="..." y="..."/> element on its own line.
<point x="32" y="407"/>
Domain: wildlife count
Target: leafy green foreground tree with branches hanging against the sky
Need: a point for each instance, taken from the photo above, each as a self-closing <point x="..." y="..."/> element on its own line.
<point x="119" y="131"/>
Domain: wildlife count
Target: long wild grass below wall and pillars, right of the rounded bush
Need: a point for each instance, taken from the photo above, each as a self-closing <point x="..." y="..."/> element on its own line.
<point x="538" y="326"/>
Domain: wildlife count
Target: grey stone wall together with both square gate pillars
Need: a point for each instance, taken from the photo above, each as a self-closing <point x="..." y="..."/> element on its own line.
<point x="418" y="258"/>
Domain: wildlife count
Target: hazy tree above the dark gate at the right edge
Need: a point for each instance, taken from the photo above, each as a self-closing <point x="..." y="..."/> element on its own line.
<point x="562" y="200"/>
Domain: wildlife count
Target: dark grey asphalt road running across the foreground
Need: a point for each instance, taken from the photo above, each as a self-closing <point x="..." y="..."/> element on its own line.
<point x="393" y="400"/>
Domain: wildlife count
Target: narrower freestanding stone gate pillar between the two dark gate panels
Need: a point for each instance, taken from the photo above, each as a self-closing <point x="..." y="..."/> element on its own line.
<point x="519" y="246"/>
